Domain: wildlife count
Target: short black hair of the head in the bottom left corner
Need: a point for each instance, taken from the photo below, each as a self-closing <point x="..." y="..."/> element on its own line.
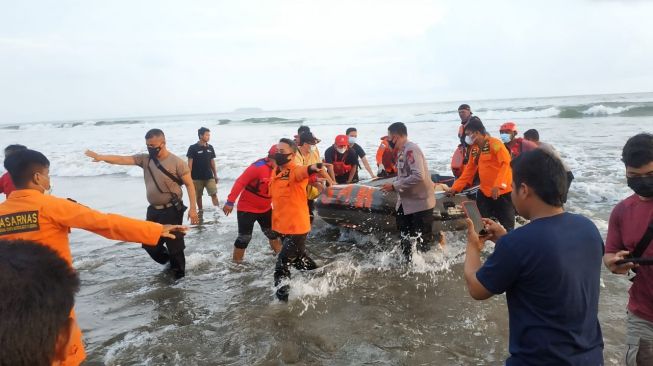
<point x="38" y="293"/>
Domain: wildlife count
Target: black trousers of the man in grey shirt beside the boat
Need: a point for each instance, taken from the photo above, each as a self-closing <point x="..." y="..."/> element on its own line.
<point x="417" y="225"/>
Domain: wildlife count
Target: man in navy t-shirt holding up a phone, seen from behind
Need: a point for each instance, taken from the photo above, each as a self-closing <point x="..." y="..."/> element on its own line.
<point x="550" y="270"/>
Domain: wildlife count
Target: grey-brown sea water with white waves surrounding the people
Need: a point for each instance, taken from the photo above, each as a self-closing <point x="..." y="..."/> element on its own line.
<point x="363" y="306"/>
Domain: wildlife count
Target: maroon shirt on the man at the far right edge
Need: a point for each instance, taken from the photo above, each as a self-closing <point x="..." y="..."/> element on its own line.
<point x="628" y="223"/>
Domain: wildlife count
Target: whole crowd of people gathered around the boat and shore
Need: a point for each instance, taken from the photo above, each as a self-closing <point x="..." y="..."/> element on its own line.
<point x="549" y="268"/>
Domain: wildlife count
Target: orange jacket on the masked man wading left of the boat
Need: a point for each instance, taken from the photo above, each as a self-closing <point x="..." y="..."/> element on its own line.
<point x="289" y="200"/>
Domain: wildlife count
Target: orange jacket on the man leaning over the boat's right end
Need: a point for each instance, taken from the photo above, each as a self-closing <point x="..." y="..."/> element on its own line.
<point x="493" y="165"/>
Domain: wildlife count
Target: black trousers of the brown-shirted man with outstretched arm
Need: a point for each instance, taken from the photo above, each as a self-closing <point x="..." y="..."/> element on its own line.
<point x="175" y="247"/>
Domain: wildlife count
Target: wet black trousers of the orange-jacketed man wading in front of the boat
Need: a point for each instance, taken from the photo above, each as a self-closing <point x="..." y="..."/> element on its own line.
<point x="292" y="253"/>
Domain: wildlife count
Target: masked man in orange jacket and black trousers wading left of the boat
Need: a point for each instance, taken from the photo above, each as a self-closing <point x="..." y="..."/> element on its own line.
<point x="290" y="217"/>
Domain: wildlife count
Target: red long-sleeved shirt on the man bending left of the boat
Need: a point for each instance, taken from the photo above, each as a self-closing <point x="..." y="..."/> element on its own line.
<point x="253" y="188"/>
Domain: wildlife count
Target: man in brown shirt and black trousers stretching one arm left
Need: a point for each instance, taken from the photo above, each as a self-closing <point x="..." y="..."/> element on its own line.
<point x="164" y="174"/>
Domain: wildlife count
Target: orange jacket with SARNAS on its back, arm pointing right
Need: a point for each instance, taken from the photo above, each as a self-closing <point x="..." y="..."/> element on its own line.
<point x="28" y="214"/>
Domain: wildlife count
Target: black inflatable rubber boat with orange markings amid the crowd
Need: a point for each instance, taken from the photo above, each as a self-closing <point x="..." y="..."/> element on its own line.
<point x="364" y="207"/>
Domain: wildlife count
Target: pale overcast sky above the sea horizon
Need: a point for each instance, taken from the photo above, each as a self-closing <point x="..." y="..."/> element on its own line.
<point x="83" y="59"/>
